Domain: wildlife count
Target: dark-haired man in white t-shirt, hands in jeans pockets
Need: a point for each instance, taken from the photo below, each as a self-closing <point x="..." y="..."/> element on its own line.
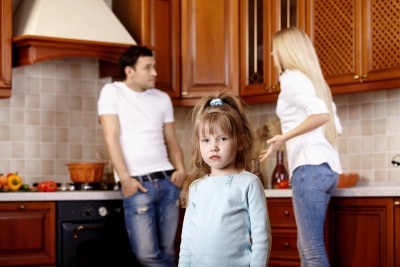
<point x="139" y="131"/>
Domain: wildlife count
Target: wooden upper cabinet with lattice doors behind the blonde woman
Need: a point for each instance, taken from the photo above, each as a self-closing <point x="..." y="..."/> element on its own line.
<point x="357" y="43"/>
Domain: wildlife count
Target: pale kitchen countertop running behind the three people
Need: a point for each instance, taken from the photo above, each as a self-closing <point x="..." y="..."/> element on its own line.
<point x="377" y="189"/>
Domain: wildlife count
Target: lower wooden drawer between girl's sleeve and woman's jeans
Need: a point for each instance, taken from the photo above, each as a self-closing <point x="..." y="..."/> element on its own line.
<point x="284" y="245"/>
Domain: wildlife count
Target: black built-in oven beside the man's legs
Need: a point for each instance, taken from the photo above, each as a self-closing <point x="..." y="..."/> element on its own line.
<point x="92" y="233"/>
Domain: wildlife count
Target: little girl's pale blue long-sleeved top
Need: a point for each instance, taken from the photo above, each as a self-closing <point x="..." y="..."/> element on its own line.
<point x="226" y="223"/>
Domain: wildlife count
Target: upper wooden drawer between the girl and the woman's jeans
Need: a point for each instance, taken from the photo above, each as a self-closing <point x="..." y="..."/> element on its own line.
<point x="281" y="213"/>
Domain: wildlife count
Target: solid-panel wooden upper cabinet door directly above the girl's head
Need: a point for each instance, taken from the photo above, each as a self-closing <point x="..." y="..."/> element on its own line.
<point x="210" y="37"/>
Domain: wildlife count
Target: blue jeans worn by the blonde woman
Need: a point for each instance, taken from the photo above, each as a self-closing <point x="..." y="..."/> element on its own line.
<point x="312" y="188"/>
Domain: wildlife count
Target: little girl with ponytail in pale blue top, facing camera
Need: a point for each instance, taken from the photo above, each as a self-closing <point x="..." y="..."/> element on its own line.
<point x="226" y="221"/>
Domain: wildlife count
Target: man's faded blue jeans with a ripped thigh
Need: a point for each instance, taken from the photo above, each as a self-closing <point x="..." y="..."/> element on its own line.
<point x="151" y="220"/>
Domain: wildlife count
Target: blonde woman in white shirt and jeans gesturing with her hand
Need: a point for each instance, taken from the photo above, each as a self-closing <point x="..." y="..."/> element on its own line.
<point x="310" y="129"/>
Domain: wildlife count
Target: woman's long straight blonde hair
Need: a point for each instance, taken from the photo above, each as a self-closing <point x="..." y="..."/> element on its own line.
<point x="293" y="50"/>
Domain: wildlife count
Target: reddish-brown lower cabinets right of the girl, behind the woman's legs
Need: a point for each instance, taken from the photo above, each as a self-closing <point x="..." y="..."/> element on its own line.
<point x="359" y="231"/>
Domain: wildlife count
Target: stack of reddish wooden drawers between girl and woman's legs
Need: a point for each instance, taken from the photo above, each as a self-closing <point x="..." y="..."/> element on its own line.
<point x="284" y="233"/>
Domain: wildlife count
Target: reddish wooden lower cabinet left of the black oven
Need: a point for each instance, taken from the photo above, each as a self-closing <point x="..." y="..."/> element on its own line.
<point x="27" y="235"/>
